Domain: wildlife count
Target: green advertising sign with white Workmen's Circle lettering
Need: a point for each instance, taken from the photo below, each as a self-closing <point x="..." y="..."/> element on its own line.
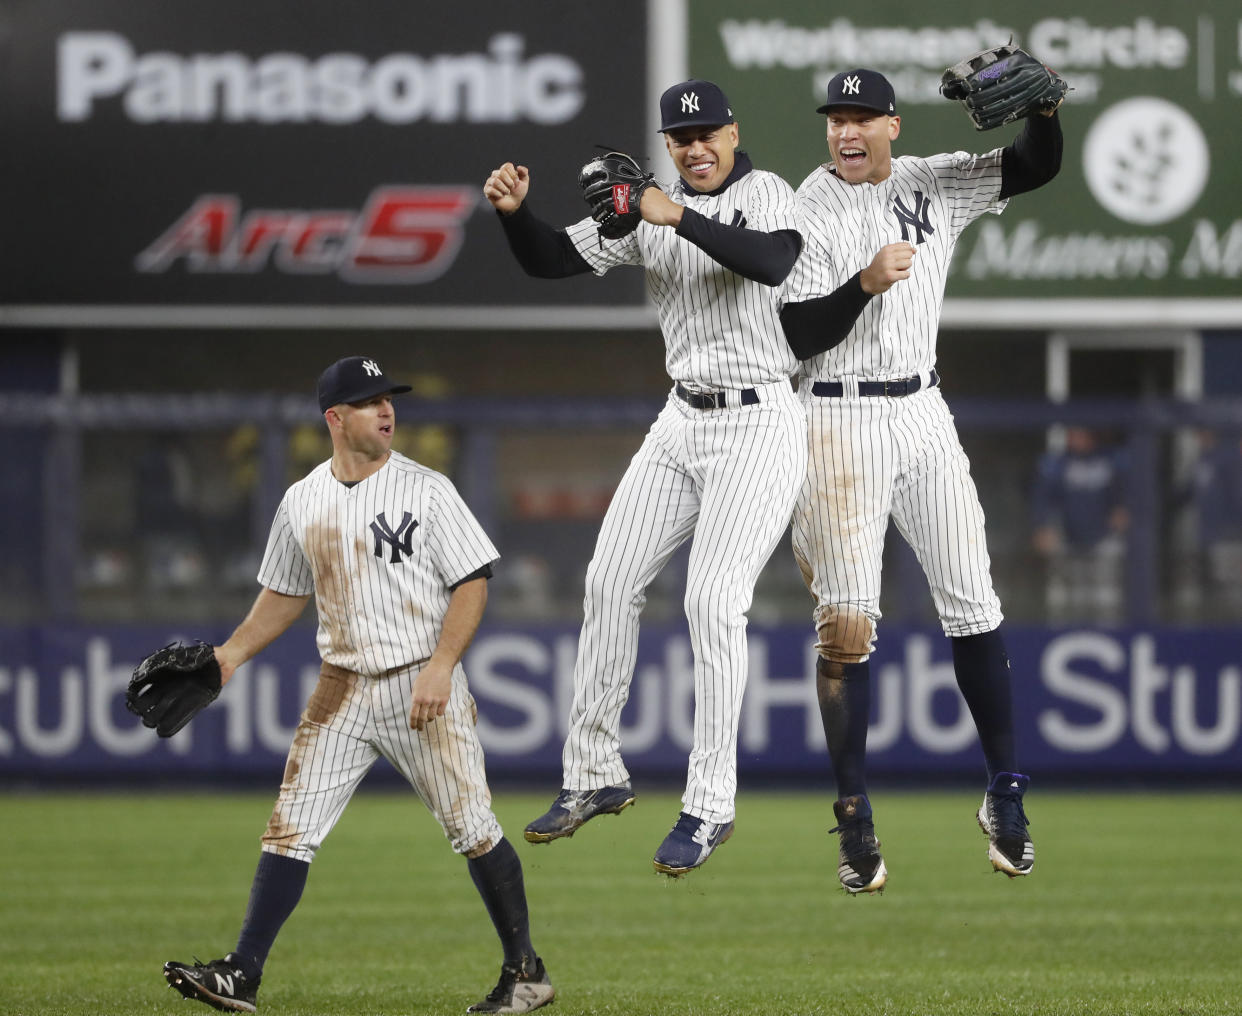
<point x="1147" y="204"/>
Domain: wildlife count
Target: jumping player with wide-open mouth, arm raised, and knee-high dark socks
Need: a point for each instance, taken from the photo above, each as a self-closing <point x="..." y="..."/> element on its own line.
<point x="884" y="443"/>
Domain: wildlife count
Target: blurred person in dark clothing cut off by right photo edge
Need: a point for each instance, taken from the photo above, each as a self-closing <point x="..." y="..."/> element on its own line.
<point x="1215" y="494"/>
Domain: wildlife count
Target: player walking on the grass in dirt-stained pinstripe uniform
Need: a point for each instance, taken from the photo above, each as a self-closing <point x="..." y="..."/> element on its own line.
<point x="399" y="568"/>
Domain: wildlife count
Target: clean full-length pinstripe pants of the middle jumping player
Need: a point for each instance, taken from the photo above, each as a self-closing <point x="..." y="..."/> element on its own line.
<point x="731" y="478"/>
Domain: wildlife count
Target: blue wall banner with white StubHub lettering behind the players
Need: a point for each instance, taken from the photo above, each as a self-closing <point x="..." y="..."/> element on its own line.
<point x="1087" y="702"/>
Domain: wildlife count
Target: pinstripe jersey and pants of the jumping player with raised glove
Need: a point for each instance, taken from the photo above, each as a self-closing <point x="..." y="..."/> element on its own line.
<point x="876" y="455"/>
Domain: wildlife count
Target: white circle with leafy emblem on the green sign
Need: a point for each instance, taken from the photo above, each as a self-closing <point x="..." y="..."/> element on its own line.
<point x="1146" y="161"/>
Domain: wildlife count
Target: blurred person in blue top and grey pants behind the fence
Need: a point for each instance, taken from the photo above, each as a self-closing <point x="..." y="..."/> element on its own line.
<point x="1081" y="520"/>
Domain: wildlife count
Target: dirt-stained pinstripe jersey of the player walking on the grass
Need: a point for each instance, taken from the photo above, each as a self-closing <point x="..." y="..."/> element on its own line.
<point x="381" y="558"/>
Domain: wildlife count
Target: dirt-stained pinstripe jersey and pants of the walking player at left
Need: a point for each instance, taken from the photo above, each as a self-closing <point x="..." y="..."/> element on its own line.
<point x="381" y="557"/>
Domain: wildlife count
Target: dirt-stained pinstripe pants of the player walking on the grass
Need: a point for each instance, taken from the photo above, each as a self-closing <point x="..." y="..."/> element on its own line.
<point x="348" y="725"/>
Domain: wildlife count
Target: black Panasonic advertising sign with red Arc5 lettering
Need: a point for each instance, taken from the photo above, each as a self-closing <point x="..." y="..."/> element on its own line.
<point x="249" y="155"/>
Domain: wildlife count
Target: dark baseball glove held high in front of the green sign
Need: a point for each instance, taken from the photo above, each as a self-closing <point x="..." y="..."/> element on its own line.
<point x="1003" y="85"/>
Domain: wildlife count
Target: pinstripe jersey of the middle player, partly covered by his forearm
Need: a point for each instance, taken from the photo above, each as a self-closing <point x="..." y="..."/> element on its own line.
<point x="721" y="331"/>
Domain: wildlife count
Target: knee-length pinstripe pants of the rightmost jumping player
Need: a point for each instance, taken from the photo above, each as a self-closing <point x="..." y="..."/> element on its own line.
<point x="901" y="458"/>
